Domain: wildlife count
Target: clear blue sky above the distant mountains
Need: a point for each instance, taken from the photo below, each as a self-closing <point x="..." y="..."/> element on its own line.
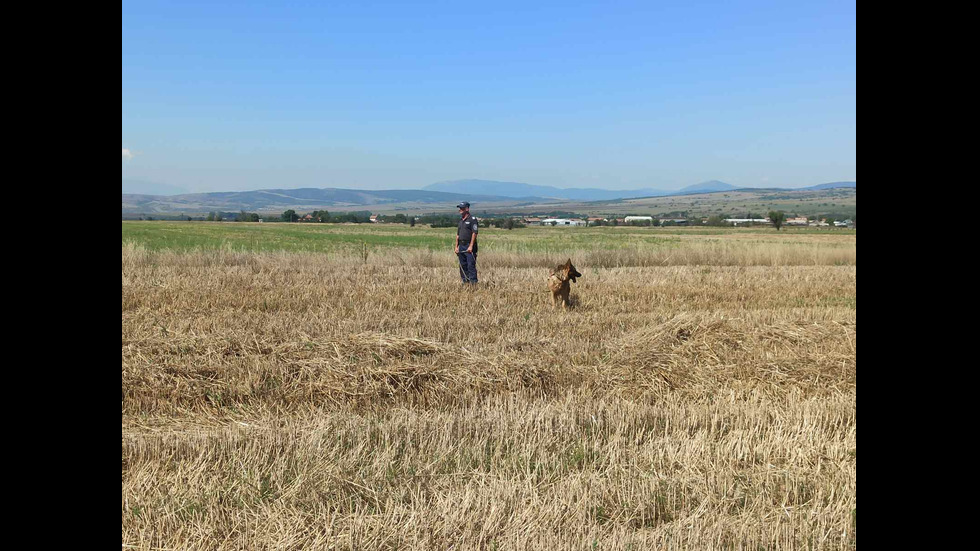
<point x="220" y="96"/>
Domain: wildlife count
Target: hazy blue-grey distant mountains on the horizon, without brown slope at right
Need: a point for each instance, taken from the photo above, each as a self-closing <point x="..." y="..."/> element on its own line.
<point x="440" y="195"/>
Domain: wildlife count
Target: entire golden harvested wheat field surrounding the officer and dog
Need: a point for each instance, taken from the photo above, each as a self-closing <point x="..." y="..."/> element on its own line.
<point x="699" y="394"/>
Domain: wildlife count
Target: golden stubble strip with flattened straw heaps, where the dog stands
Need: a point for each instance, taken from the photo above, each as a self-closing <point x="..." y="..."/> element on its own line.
<point x="315" y="331"/>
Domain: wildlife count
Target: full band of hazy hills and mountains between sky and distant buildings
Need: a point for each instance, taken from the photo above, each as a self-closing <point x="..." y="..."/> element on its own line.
<point x="488" y="195"/>
